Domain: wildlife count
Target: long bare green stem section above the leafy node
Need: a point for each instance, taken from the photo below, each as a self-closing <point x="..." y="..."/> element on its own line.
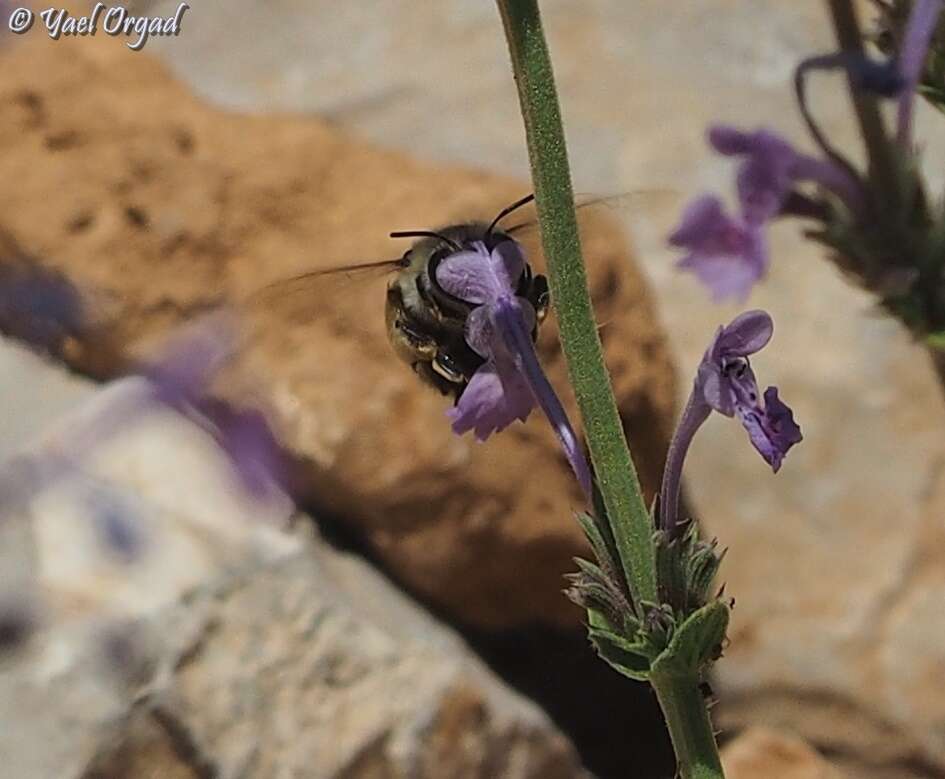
<point x="580" y="343"/>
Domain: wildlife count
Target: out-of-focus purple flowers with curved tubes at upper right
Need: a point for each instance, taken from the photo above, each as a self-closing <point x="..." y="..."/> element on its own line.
<point x="729" y="254"/>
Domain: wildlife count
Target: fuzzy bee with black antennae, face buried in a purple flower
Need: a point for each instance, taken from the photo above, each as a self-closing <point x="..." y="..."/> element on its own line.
<point x="425" y="324"/>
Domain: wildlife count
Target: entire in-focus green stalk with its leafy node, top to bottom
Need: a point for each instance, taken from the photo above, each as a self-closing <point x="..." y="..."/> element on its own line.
<point x="676" y="681"/>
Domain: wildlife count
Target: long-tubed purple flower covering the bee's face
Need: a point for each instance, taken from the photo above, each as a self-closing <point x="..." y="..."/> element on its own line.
<point x="511" y="380"/>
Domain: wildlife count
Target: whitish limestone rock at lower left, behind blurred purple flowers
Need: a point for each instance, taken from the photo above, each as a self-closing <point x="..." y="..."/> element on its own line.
<point x="224" y="645"/>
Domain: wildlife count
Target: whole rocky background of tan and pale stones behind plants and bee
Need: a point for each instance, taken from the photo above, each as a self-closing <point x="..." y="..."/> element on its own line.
<point x="296" y="136"/>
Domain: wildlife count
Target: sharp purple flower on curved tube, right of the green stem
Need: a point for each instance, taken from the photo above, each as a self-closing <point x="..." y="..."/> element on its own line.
<point x="726" y="383"/>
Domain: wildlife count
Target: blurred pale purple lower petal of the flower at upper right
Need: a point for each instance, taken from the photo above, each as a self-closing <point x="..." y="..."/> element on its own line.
<point x="727" y="254"/>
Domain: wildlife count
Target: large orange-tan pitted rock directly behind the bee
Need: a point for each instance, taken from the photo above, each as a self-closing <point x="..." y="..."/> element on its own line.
<point x="159" y="207"/>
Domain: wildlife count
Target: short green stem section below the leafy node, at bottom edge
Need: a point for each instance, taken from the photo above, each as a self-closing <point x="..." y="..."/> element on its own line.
<point x="697" y="754"/>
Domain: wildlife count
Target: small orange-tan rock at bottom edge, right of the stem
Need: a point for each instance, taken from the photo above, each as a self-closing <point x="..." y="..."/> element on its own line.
<point x="762" y="753"/>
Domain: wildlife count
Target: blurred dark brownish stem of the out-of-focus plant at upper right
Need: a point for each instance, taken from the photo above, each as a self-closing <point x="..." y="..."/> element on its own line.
<point x="882" y="160"/>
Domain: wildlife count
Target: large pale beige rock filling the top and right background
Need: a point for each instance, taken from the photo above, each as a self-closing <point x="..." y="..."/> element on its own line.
<point x="835" y="563"/>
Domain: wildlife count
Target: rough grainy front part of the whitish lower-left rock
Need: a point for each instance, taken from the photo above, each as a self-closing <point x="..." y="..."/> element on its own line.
<point x="291" y="675"/>
